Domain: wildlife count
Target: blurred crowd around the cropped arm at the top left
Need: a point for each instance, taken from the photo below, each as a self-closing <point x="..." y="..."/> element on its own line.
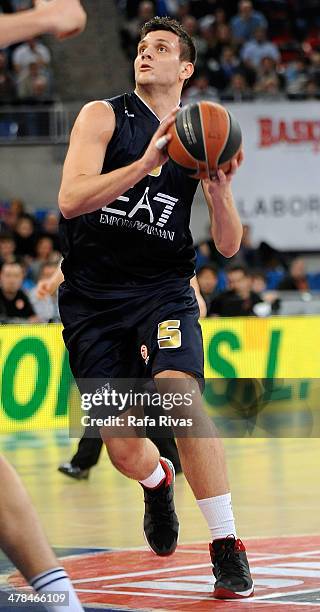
<point x="25" y="68"/>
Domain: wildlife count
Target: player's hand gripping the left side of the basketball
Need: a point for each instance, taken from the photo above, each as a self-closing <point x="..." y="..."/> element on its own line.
<point x="156" y="154"/>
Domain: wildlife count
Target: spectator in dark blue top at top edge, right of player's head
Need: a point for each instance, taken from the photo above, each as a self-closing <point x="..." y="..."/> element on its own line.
<point x="245" y="23"/>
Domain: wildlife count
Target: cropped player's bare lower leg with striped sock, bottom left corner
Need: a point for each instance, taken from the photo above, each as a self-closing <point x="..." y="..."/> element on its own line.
<point x="24" y="542"/>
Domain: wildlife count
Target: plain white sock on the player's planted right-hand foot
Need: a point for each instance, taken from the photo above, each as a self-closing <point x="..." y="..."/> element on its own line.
<point x="219" y="515"/>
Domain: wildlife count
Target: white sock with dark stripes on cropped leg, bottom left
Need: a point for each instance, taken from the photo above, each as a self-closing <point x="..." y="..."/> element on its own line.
<point x="56" y="581"/>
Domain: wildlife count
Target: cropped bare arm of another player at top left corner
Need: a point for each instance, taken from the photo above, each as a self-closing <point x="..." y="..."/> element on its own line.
<point x="62" y="18"/>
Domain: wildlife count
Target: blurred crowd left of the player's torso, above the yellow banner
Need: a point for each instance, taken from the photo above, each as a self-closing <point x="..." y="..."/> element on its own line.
<point x="29" y="255"/>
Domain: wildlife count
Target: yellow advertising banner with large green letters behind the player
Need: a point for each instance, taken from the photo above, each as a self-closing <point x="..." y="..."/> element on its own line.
<point x="37" y="385"/>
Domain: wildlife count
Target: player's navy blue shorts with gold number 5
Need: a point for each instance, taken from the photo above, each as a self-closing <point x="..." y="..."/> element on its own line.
<point x="133" y="333"/>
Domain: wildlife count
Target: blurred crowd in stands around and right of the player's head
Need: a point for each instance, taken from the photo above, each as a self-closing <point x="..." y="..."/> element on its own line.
<point x="262" y="49"/>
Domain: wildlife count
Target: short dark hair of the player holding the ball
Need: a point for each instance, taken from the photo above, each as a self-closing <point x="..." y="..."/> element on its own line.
<point x="187" y="49"/>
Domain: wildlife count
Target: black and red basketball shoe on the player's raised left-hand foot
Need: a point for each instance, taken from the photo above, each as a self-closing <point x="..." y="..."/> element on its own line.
<point x="161" y="525"/>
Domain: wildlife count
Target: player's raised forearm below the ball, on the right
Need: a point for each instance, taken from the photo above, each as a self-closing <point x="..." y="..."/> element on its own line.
<point x="226" y="227"/>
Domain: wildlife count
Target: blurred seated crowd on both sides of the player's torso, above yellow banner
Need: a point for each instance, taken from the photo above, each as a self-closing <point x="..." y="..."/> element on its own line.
<point x="249" y="284"/>
